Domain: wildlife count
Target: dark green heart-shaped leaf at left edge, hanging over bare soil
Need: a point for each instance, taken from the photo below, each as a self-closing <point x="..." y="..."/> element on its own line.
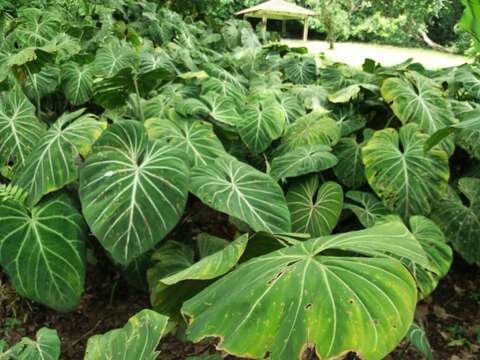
<point x="42" y="249"/>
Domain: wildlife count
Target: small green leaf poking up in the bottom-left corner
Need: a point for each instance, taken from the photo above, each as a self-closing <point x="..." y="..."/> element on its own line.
<point x="45" y="347"/>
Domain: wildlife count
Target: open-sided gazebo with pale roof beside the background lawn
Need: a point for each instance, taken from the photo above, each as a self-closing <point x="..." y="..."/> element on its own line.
<point x="279" y="10"/>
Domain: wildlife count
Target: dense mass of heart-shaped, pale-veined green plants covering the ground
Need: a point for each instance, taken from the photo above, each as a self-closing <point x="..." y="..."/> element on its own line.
<point x="345" y="189"/>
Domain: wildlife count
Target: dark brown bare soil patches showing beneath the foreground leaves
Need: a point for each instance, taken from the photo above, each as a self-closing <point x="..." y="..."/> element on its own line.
<point x="451" y="316"/>
